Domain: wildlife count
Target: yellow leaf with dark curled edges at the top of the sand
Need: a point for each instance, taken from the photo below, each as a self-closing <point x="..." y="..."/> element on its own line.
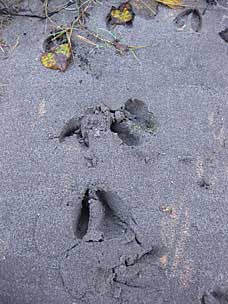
<point x="121" y="15"/>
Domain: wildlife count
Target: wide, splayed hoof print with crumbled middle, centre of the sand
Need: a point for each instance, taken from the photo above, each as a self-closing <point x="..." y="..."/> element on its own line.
<point x="133" y="123"/>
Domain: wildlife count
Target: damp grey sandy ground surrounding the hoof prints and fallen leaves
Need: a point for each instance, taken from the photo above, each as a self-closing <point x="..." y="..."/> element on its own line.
<point x="165" y="199"/>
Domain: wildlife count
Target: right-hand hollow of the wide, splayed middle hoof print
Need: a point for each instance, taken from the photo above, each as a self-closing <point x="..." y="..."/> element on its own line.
<point x="133" y="121"/>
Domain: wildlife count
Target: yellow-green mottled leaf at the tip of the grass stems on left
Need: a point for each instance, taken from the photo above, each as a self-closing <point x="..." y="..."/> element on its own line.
<point x="57" y="58"/>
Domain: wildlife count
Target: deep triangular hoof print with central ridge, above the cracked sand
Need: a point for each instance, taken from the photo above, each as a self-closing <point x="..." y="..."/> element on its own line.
<point x="99" y="216"/>
